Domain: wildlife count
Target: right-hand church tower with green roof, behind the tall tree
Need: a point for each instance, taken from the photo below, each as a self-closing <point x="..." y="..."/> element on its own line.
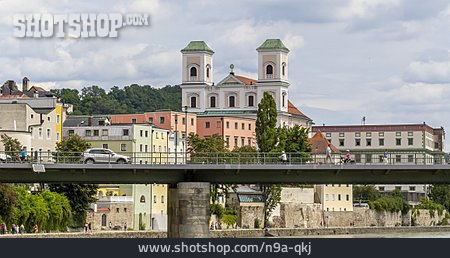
<point x="273" y="72"/>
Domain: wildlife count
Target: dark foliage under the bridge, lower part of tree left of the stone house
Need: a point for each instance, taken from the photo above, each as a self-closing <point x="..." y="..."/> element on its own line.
<point x="80" y="197"/>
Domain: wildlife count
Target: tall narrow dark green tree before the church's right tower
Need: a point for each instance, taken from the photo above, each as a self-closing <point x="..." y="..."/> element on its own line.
<point x="266" y="121"/>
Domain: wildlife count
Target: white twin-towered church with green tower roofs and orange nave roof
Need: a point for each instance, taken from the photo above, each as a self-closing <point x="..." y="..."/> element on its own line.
<point x="238" y="96"/>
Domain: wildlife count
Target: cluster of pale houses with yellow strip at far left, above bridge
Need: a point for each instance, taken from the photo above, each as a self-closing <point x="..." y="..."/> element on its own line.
<point x="33" y="115"/>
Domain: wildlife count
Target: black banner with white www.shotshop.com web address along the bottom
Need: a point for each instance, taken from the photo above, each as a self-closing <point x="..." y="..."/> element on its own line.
<point x="263" y="247"/>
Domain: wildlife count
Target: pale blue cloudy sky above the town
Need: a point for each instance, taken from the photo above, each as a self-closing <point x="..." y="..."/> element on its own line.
<point x="387" y="60"/>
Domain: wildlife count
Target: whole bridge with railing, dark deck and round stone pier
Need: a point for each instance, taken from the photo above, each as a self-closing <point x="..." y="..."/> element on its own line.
<point x="190" y="175"/>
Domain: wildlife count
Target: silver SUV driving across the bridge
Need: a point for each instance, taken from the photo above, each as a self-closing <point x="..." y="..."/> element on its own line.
<point x="99" y="155"/>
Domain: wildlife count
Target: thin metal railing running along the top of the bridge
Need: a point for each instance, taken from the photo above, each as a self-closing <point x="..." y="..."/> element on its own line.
<point x="157" y="158"/>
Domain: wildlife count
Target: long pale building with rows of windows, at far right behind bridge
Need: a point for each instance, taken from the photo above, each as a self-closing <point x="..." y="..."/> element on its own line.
<point x="404" y="144"/>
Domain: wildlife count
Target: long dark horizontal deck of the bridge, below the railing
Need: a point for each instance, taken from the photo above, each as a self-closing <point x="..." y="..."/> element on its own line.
<point x="227" y="173"/>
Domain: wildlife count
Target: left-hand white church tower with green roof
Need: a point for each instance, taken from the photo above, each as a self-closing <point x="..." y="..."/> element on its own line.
<point x="197" y="75"/>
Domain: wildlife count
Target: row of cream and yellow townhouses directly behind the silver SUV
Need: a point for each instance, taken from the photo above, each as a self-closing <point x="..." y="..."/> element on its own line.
<point x="144" y="143"/>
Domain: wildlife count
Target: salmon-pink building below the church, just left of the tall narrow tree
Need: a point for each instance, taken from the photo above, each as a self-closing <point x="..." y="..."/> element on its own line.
<point x="235" y="131"/>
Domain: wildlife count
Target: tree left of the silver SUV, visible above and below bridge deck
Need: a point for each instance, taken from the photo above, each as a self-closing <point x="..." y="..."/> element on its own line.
<point x="80" y="196"/>
